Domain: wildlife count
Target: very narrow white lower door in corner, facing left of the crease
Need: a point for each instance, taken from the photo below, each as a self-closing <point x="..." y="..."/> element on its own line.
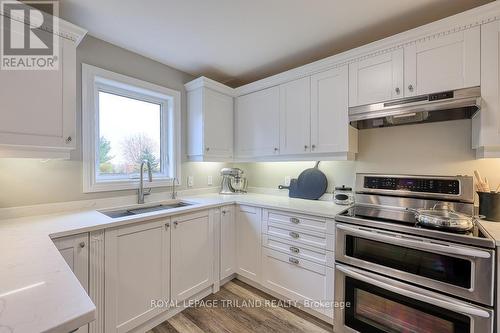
<point x="227" y="242"/>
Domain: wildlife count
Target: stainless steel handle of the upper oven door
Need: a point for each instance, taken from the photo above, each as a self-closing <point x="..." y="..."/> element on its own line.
<point x="426" y="246"/>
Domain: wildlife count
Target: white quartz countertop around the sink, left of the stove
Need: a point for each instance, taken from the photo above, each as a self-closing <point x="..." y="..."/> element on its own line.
<point x="38" y="291"/>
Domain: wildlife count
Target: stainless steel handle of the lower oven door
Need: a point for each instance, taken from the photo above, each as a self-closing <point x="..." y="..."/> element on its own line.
<point x="449" y="305"/>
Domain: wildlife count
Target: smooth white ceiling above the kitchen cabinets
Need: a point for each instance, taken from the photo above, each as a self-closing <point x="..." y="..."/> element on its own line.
<point x="239" y="41"/>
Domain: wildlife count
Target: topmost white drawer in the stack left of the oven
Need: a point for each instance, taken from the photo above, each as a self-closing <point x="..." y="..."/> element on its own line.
<point x="307" y="222"/>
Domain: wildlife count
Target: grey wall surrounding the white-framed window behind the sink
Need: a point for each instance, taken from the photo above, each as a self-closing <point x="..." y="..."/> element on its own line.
<point x="31" y="181"/>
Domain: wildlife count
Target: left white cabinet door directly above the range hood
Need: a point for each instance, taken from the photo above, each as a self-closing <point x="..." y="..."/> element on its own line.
<point x="376" y="79"/>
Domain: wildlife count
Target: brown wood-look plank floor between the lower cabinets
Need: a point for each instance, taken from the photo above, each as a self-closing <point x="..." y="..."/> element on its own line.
<point x="241" y="319"/>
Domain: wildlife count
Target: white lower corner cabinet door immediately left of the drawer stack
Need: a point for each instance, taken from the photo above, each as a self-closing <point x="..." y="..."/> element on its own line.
<point x="248" y="241"/>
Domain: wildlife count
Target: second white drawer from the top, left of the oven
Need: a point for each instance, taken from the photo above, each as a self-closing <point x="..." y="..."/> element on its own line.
<point x="300" y="236"/>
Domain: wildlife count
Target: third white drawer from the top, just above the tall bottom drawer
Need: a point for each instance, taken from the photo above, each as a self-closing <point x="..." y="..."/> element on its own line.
<point x="310" y="253"/>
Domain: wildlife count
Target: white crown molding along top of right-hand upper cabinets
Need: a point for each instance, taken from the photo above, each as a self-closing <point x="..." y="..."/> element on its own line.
<point x="465" y="20"/>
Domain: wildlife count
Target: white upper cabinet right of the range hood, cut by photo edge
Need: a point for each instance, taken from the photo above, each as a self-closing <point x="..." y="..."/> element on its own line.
<point x="486" y="123"/>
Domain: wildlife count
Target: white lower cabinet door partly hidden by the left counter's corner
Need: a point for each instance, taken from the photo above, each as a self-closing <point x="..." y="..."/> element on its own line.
<point x="75" y="251"/>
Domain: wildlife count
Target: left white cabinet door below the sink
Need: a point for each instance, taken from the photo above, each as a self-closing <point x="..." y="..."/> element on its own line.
<point x="137" y="266"/>
